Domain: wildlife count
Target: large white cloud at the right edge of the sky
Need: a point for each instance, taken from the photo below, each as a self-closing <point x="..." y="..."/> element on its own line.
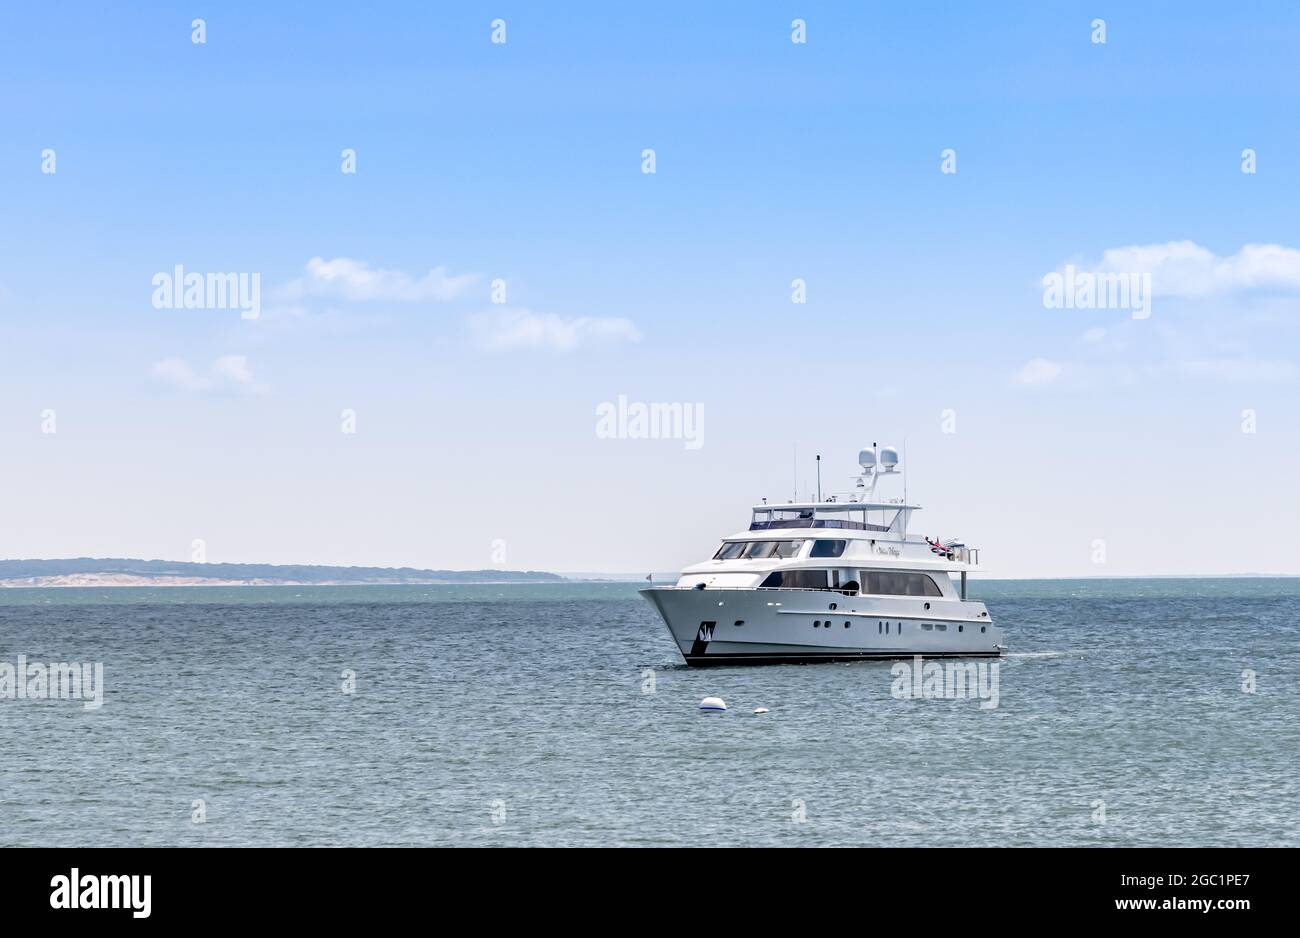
<point x="1190" y="271"/>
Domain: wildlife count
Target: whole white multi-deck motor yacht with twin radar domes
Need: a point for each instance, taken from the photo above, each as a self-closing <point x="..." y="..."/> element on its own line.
<point x="831" y="580"/>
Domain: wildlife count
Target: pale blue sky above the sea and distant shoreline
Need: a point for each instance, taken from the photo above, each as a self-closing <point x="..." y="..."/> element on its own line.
<point x="523" y="162"/>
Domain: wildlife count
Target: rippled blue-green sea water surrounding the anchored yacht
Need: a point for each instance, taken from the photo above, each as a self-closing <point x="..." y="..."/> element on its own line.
<point x="521" y="715"/>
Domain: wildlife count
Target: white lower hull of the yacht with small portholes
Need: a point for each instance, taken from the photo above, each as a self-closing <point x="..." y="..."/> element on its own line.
<point x="796" y="627"/>
